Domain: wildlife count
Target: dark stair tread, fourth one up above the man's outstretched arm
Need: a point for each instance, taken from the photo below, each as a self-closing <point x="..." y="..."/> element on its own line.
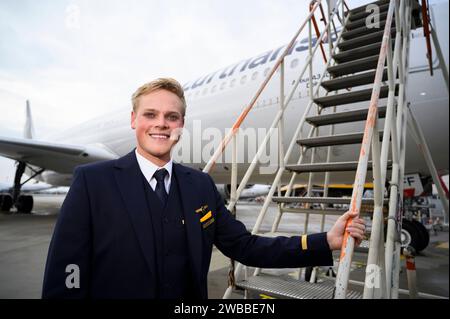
<point x="343" y="117"/>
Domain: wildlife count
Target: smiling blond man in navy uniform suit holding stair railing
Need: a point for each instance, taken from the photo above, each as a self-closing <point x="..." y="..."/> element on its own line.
<point x="142" y="226"/>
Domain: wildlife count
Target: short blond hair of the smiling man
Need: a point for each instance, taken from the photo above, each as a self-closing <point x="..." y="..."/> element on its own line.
<point x="167" y="84"/>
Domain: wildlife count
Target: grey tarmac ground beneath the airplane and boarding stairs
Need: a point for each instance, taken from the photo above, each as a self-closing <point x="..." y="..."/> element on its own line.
<point x="25" y="238"/>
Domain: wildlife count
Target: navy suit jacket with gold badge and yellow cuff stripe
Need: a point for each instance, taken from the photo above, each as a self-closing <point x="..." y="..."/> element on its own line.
<point x="105" y="229"/>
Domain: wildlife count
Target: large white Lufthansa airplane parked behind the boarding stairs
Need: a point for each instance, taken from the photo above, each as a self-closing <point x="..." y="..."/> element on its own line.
<point x="215" y="100"/>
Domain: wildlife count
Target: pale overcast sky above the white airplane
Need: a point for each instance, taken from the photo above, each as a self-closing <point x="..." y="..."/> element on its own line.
<point x="77" y="59"/>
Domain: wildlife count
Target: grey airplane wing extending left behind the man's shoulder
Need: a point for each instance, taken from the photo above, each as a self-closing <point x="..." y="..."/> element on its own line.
<point x="57" y="157"/>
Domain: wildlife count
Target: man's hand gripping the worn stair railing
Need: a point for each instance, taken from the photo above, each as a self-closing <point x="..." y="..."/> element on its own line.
<point x="356" y="229"/>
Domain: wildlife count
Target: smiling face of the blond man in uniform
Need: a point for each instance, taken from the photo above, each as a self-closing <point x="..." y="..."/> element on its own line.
<point x="158" y="121"/>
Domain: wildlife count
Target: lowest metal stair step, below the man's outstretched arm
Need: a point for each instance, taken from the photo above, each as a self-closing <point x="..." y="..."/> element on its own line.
<point x="292" y="288"/>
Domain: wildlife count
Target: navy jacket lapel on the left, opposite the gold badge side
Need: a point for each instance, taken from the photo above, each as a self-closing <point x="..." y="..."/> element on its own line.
<point x="129" y="180"/>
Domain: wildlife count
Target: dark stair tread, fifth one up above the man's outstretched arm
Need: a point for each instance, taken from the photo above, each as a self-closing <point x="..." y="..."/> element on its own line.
<point x="351" y="97"/>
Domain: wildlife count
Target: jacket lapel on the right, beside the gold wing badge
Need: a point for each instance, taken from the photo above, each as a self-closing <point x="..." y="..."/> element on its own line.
<point x="188" y="194"/>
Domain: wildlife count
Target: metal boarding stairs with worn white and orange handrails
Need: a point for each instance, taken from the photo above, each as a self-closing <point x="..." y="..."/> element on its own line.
<point x="368" y="72"/>
